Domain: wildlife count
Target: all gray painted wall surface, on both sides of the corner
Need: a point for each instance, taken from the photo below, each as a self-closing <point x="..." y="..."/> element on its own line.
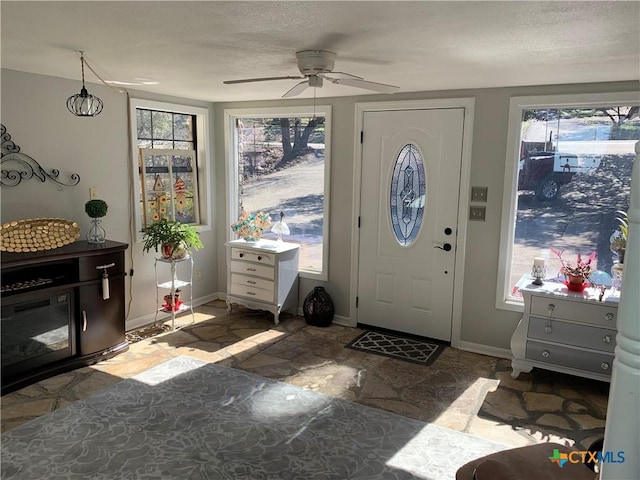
<point x="33" y="109"/>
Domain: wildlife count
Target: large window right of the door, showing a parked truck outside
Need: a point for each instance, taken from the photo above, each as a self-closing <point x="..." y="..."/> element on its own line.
<point x="568" y="172"/>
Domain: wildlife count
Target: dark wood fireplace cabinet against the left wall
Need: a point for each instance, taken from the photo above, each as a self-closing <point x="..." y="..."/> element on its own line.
<point x="61" y="309"/>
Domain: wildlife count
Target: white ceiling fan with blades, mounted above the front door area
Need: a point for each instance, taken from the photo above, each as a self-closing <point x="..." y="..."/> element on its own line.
<point x="315" y="67"/>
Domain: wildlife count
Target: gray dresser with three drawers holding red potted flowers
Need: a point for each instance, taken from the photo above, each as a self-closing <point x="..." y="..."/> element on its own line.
<point x="565" y="331"/>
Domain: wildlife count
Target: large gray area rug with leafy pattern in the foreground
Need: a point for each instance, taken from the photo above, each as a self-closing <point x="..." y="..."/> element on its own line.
<point x="186" y="419"/>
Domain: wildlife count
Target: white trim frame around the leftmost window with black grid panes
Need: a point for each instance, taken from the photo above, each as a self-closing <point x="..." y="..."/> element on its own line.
<point x="202" y="149"/>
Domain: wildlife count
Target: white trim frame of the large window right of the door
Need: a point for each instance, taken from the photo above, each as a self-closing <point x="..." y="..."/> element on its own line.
<point x="510" y="189"/>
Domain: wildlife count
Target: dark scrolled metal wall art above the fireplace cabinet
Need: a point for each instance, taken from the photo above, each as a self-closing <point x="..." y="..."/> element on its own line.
<point x="17" y="166"/>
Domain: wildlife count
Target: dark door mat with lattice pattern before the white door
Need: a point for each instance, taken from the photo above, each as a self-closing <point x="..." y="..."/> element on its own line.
<point x="403" y="348"/>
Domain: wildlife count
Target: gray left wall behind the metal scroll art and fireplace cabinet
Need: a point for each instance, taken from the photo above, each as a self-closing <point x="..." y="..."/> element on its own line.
<point x="35" y="114"/>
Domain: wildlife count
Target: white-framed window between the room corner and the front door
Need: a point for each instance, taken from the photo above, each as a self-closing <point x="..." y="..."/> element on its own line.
<point x="279" y="162"/>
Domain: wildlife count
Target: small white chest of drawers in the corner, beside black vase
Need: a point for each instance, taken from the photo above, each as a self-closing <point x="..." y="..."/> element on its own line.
<point x="263" y="275"/>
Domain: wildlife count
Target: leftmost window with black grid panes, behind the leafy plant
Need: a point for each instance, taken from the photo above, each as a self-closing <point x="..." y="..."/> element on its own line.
<point x="169" y="162"/>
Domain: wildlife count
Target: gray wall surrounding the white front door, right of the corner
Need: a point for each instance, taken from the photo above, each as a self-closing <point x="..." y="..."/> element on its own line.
<point x="482" y="323"/>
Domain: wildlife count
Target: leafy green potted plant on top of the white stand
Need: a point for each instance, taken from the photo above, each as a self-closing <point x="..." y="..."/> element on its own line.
<point x="172" y="238"/>
